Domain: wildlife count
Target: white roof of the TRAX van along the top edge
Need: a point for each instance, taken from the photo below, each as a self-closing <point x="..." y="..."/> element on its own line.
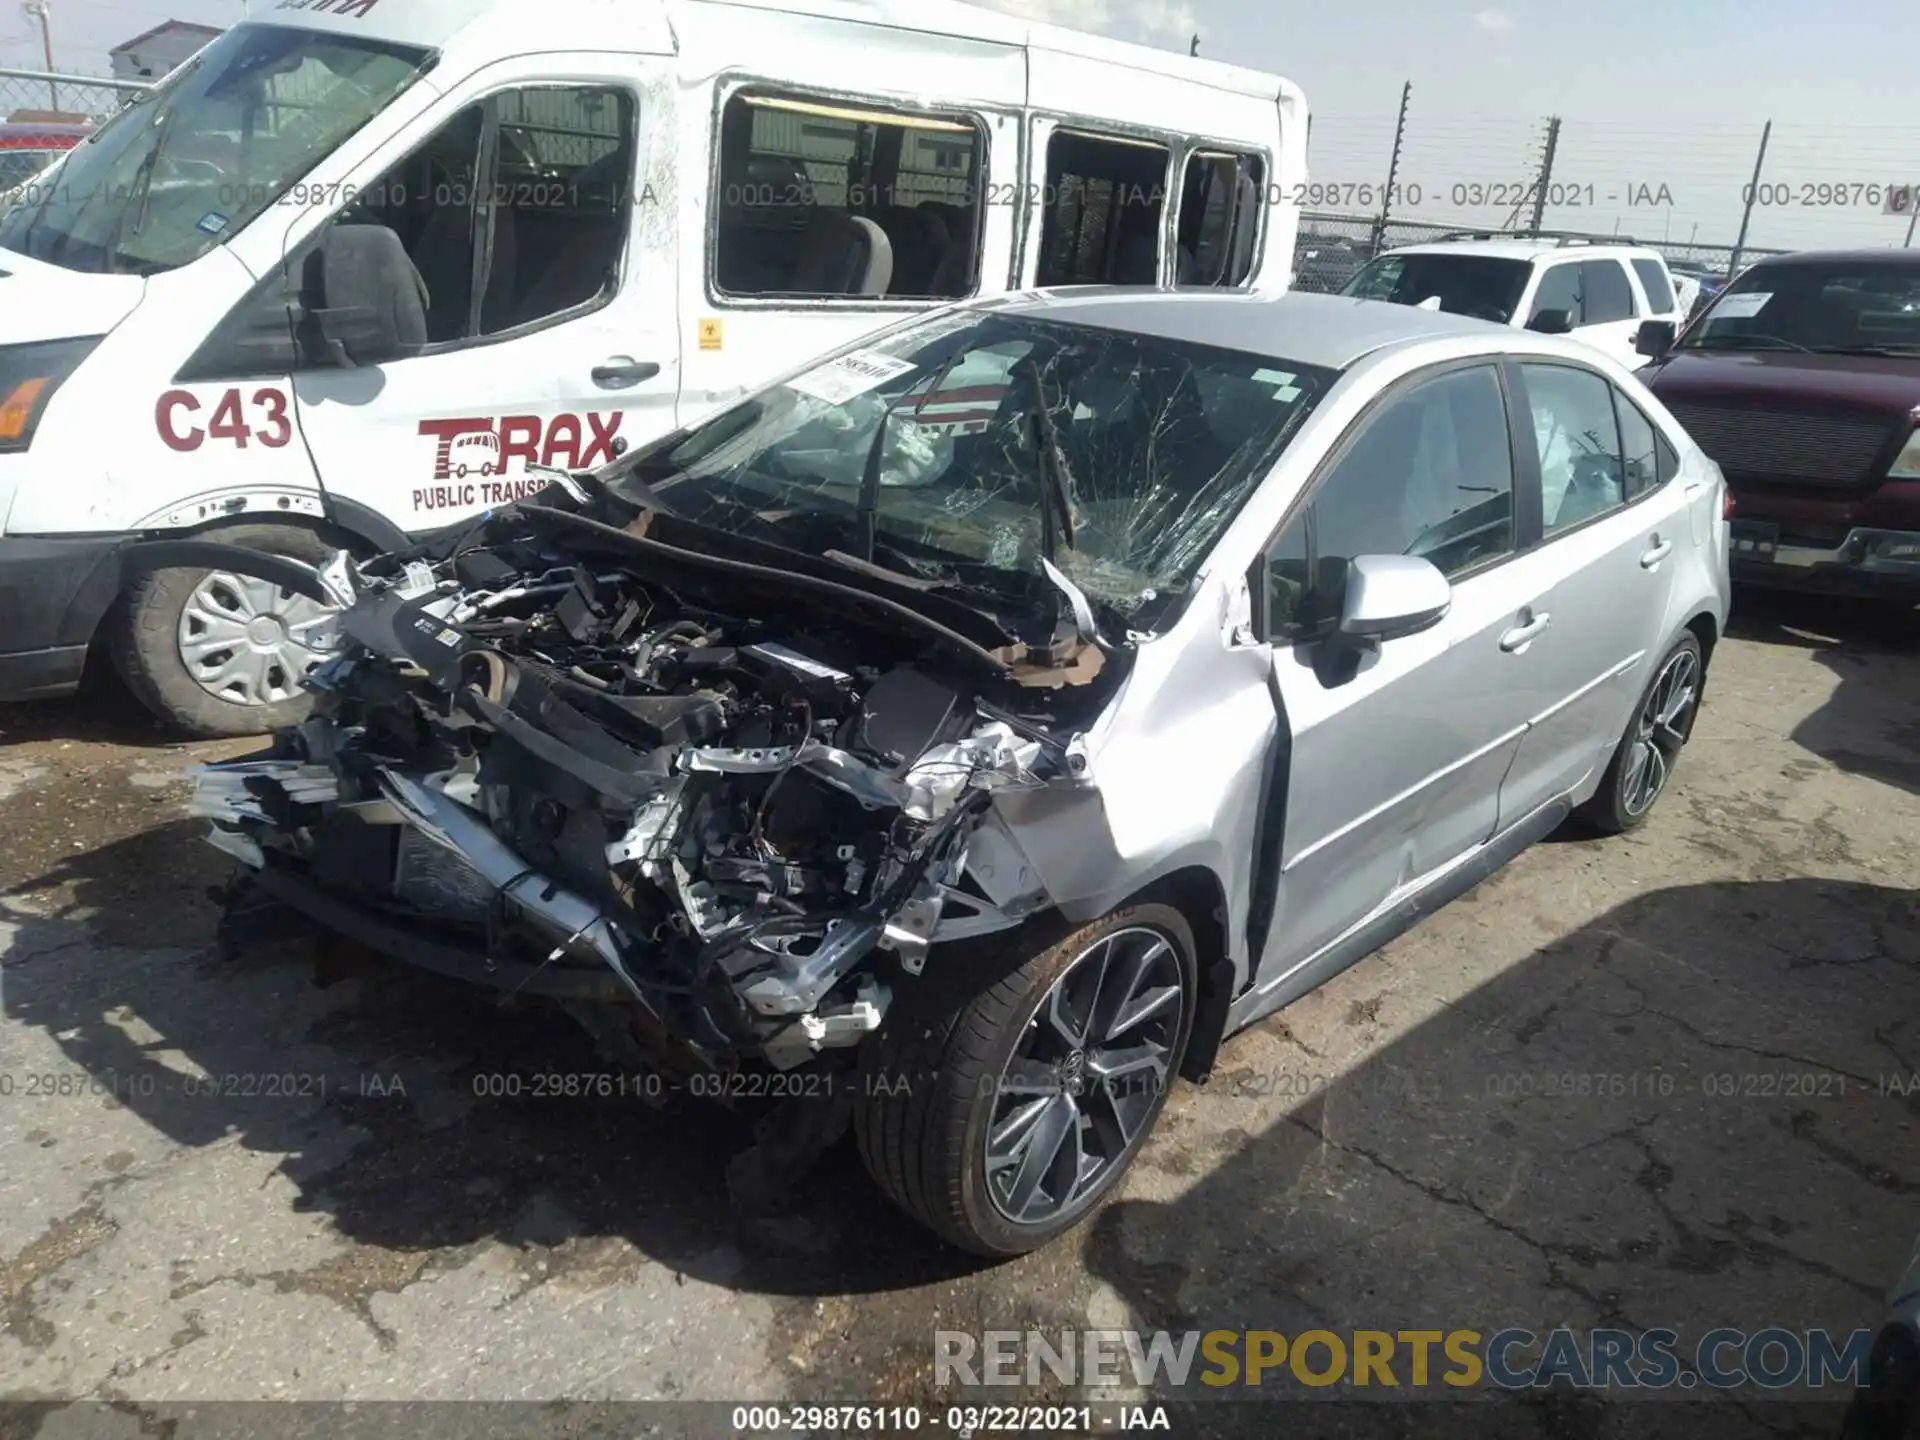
<point x="592" y="24"/>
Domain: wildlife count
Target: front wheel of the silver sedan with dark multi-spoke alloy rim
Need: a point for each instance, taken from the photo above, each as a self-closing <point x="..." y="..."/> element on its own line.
<point x="999" y="1118"/>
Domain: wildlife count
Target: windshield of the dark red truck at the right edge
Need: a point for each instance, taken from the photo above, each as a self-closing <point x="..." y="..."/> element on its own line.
<point x="1842" y="308"/>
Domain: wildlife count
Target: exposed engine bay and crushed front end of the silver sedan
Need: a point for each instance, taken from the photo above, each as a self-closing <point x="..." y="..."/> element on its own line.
<point x="719" y="804"/>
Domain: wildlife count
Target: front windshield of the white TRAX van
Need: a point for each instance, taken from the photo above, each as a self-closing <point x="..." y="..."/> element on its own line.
<point x="191" y="164"/>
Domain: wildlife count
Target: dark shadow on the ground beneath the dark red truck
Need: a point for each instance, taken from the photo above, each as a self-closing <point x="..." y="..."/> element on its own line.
<point x="1871" y="727"/>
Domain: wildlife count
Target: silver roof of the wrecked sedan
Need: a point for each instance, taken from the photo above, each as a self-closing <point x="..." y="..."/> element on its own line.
<point x="1308" y="329"/>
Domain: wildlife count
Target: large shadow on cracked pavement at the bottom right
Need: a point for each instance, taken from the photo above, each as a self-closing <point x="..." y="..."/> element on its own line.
<point x="1677" y="1116"/>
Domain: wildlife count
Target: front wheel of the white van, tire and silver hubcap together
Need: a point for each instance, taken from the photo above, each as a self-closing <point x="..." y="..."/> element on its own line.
<point x="218" y="654"/>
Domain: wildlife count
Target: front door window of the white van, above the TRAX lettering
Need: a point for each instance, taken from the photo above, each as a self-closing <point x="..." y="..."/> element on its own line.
<point x="516" y="210"/>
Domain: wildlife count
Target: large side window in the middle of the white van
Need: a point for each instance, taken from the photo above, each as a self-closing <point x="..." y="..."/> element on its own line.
<point x="846" y="201"/>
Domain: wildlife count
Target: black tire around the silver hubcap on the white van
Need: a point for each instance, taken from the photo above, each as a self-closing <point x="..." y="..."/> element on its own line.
<point x="143" y="640"/>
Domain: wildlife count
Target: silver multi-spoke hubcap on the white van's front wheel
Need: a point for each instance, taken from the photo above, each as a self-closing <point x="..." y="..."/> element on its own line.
<point x="249" y="642"/>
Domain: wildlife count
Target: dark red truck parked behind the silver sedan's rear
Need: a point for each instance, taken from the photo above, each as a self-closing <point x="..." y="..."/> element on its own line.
<point x="1804" y="383"/>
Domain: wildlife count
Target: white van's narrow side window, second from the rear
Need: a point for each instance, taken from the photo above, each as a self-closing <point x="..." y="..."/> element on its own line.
<point x="1105" y="208"/>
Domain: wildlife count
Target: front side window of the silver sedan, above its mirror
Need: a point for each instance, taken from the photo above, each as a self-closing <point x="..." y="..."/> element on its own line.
<point x="1429" y="475"/>
